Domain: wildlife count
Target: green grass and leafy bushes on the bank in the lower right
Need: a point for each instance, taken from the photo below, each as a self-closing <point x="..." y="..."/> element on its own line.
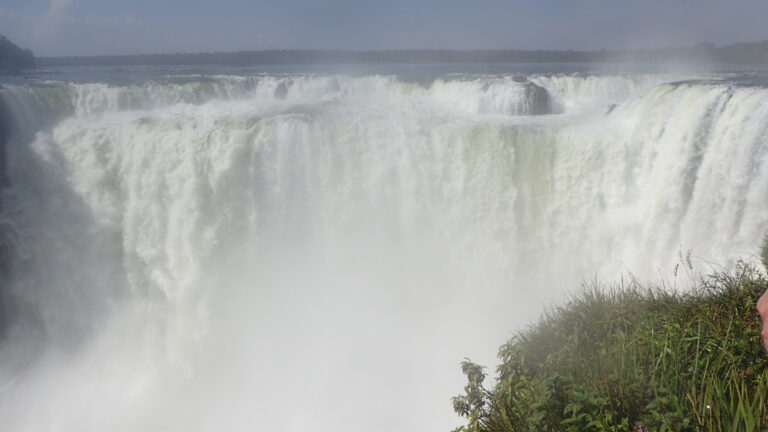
<point x="630" y="358"/>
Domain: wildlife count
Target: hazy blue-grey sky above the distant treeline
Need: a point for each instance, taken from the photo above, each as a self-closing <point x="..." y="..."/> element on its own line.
<point x="97" y="27"/>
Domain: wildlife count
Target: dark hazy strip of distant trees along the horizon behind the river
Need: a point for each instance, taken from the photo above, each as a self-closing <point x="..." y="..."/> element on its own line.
<point x="751" y="52"/>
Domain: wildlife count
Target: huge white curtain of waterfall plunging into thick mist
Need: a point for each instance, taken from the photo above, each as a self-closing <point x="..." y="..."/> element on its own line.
<point x="319" y="252"/>
